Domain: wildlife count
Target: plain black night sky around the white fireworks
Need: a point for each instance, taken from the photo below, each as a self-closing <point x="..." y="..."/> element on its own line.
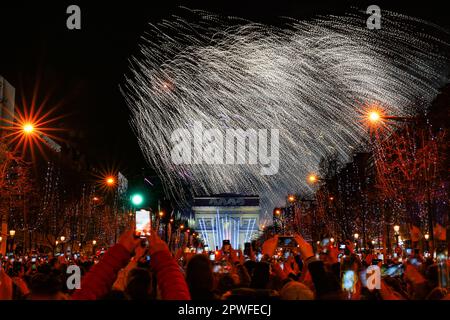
<point x="83" y="69"/>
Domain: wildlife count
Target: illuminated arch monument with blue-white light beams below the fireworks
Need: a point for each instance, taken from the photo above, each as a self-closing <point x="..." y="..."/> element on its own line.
<point x="227" y="217"/>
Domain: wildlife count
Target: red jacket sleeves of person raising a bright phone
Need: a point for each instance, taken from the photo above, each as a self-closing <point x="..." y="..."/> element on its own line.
<point x="99" y="280"/>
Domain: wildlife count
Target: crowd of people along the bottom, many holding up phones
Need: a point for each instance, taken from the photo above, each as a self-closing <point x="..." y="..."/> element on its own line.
<point x="144" y="269"/>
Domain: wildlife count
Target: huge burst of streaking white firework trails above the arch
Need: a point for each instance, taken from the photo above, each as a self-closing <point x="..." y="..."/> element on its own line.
<point x="310" y="80"/>
